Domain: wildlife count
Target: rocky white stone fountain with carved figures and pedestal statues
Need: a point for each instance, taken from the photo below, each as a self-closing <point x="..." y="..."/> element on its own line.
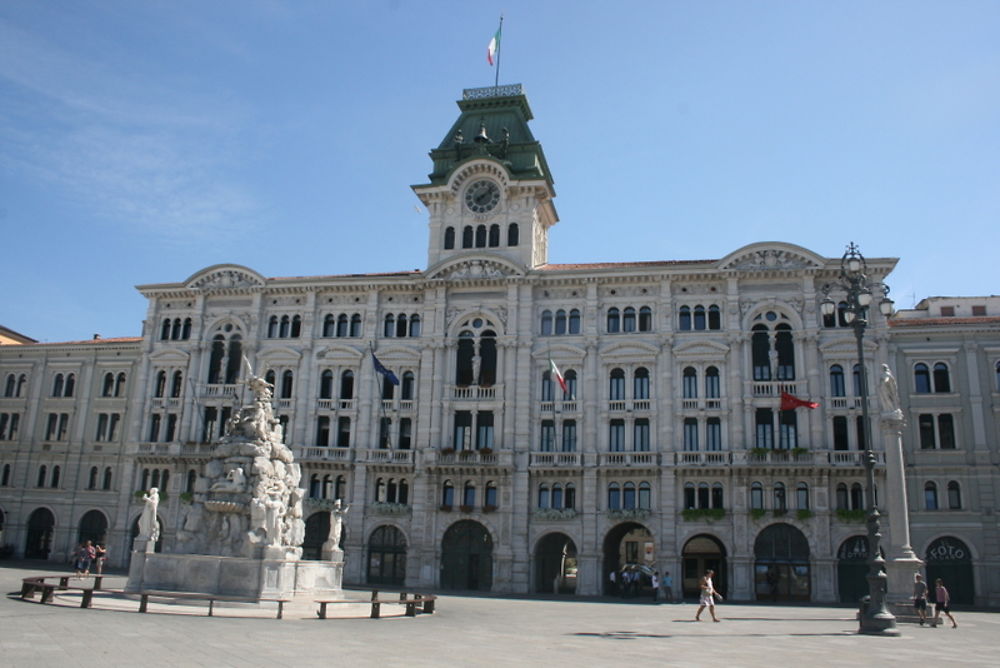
<point x="242" y="533"/>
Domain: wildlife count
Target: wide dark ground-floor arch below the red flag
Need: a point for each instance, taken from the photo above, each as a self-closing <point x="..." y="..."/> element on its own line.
<point x="781" y="564"/>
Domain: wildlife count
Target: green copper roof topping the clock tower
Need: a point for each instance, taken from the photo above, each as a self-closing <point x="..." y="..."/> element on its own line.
<point x="504" y="113"/>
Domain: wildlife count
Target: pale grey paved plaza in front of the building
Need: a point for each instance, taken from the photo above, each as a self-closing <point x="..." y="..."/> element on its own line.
<point x="469" y="631"/>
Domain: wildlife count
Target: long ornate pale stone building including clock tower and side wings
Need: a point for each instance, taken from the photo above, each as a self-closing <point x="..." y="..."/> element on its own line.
<point x="539" y="425"/>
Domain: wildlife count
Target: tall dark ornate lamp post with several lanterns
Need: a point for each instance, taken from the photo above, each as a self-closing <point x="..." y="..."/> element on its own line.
<point x="874" y="617"/>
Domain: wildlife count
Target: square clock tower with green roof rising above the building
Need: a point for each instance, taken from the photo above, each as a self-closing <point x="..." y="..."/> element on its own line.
<point x="490" y="194"/>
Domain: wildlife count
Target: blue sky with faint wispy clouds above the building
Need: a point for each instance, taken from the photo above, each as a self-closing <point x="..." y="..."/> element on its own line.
<point x="143" y="141"/>
